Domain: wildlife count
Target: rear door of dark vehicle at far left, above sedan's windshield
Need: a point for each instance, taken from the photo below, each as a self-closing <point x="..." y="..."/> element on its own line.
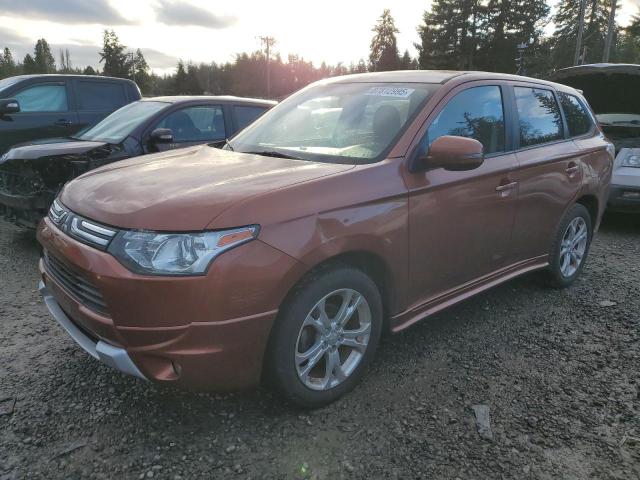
<point x="97" y="99"/>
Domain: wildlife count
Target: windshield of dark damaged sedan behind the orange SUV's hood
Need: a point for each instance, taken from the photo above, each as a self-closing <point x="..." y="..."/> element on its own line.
<point x="119" y="125"/>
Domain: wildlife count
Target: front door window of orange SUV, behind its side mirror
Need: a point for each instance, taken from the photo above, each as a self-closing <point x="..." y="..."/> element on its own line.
<point x="474" y="113"/>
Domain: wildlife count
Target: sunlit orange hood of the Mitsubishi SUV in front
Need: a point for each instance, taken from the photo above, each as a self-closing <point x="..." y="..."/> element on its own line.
<point x="184" y="189"/>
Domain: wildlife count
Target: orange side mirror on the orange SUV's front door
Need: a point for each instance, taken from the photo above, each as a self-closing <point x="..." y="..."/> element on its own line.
<point x="451" y="153"/>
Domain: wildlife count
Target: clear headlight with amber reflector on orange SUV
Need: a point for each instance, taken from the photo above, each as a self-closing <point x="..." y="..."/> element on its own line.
<point x="155" y="253"/>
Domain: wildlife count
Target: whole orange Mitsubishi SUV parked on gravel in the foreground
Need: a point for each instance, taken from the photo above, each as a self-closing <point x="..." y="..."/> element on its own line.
<point x="359" y="205"/>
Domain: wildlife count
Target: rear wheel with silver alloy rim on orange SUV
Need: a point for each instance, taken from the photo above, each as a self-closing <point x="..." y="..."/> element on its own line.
<point x="570" y="248"/>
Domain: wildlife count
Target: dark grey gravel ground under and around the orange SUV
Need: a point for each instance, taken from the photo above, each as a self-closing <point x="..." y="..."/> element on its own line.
<point x="558" y="370"/>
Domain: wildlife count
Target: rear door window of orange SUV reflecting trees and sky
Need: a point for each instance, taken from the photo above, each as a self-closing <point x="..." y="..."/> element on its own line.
<point x="539" y="116"/>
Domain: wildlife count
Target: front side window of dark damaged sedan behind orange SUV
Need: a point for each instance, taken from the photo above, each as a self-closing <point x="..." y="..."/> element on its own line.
<point x="196" y="124"/>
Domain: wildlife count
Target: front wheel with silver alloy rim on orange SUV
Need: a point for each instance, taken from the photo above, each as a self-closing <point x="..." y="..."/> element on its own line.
<point x="325" y="336"/>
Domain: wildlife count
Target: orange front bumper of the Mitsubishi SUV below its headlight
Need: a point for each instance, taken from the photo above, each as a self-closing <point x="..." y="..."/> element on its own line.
<point x="205" y="333"/>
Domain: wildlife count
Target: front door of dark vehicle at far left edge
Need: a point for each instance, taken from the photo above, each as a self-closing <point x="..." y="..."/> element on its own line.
<point x="46" y="111"/>
